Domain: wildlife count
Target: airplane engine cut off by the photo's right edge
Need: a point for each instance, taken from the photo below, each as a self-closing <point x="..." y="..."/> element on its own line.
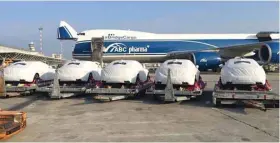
<point x="269" y="53"/>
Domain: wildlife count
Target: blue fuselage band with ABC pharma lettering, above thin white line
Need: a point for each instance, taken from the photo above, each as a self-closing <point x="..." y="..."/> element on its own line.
<point x="158" y="47"/>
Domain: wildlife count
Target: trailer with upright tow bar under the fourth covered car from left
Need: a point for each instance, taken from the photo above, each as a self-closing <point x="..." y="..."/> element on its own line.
<point x="169" y="94"/>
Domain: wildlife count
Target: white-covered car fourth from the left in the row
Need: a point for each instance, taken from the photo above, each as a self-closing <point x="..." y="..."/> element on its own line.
<point x="182" y="71"/>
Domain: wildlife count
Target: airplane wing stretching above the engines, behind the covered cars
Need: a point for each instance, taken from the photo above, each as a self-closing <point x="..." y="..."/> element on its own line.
<point x="224" y="52"/>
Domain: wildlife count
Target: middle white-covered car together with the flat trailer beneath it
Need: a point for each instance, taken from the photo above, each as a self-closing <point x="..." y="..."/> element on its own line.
<point x="122" y="79"/>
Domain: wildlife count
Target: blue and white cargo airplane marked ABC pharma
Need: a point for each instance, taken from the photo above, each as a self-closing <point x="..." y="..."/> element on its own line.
<point x="208" y="51"/>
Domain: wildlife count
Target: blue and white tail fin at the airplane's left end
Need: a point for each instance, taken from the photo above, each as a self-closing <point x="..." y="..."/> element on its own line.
<point x="66" y="32"/>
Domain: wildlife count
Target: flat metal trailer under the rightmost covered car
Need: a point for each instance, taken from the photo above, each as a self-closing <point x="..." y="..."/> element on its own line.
<point x="258" y="99"/>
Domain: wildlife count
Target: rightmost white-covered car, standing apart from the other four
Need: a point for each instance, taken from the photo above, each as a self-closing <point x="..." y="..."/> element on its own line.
<point x="242" y="71"/>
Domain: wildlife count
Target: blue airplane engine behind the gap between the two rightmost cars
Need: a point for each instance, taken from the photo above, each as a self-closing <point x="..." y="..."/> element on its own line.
<point x="206" y="60"/>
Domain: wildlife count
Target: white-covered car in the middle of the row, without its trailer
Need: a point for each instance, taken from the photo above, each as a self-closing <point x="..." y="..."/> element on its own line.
<point x="124" y="71"/>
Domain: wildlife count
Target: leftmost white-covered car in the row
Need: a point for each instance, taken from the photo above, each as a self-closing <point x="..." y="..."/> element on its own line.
<point x="28" y="71"/>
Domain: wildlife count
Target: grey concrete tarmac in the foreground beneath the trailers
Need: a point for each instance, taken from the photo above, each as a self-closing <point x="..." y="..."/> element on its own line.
<point x="82" y="119"/>
